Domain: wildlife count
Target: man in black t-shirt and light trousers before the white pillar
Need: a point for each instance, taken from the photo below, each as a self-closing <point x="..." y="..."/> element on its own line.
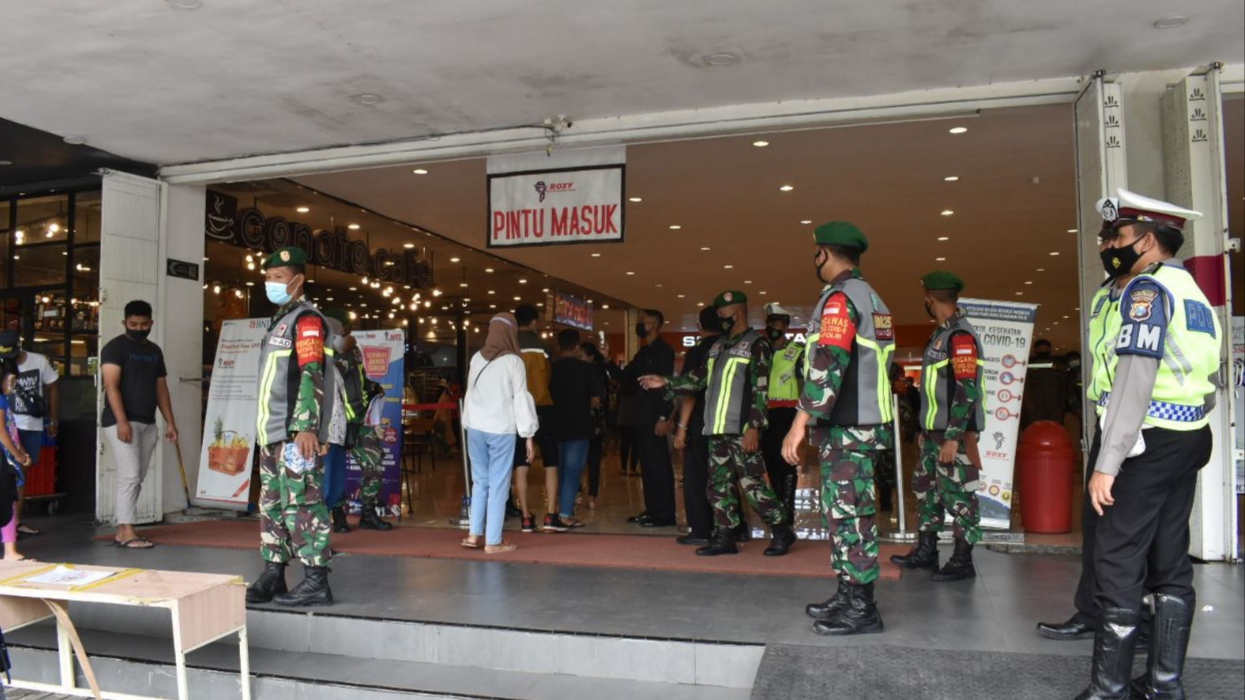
<point x="135" y="388"/>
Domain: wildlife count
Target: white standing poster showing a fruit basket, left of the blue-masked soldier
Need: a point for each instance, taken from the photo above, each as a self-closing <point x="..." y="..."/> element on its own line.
<point x="230" y="422"/>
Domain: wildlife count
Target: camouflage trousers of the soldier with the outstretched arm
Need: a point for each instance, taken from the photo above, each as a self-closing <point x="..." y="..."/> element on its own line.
<point x="729" y="464"/>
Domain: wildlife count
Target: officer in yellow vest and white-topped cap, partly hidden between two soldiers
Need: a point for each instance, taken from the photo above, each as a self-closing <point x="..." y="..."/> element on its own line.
<point x="786" y="381"/>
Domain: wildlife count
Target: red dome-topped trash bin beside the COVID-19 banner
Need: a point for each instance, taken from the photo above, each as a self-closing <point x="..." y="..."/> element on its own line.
<point x="1046" y="463"/>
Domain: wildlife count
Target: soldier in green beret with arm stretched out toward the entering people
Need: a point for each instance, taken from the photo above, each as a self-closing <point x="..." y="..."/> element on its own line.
<point x="735" y="382"/>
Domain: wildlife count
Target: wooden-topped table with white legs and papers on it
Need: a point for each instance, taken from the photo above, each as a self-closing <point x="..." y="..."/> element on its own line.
<point x="205" y="608"/>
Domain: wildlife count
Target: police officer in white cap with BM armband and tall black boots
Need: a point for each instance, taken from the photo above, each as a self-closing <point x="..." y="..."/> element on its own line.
<point x="1156" y="437"/>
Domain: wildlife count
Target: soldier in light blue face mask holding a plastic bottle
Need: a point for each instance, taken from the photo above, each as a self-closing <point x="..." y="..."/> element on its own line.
<point x="298" y="412"/>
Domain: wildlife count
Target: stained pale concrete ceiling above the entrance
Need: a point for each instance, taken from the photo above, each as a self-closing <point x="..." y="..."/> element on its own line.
<point x="146" y="80"/>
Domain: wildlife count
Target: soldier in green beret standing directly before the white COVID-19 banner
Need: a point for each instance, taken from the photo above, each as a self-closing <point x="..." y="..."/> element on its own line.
<point x="953" y="413"/>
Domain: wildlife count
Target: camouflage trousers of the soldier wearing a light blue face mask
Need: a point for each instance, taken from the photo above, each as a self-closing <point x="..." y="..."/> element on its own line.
<point x="293" y="519"/>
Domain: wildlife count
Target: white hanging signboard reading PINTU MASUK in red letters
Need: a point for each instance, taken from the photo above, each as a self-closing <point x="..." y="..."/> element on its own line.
<point x="556" y="206"/>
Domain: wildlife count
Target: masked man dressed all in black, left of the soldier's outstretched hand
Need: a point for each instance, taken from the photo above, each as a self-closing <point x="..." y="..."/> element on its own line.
<point x="653" y="423"/>
